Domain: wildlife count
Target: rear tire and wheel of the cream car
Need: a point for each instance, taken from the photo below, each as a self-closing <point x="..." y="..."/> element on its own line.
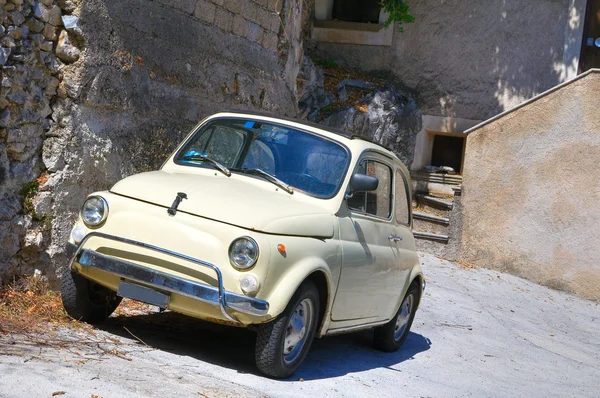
<point x="391" y="336"/>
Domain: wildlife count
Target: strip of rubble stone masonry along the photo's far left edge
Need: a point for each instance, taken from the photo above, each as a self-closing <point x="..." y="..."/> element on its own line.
<point x="30" y="73"/>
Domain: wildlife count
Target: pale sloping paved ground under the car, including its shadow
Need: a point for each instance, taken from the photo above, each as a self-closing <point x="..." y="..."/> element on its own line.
<point x="478" y="333"/>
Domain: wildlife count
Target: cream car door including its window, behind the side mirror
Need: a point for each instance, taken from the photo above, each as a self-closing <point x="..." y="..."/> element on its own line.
<point x="369" y="268"/>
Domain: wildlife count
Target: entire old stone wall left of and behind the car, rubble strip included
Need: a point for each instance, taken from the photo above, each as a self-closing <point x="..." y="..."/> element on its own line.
<point x="135" y="77"/>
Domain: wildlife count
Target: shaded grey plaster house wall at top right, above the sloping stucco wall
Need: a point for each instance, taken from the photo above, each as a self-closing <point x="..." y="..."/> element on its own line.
<point x="472" y="59"/>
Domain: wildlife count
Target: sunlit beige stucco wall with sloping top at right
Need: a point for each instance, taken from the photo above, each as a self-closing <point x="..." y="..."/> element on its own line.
<point x="531" y="191"/>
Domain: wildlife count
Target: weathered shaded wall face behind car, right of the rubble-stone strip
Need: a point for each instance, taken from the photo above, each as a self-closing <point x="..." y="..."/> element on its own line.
<point x="147" y="72"/>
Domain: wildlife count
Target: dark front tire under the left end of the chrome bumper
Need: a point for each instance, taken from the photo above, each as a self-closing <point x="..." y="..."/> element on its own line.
<point x="85" y="300"/>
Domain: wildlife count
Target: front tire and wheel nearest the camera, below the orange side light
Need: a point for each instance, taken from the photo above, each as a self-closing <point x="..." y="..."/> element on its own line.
<point x="282" y="345"/>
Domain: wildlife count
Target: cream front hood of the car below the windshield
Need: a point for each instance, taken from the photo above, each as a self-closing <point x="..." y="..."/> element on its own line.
<point x="236" y="200"/>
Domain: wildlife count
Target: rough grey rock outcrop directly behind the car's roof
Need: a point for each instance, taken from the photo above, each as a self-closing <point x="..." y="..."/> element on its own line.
<point x="391" y="119"/>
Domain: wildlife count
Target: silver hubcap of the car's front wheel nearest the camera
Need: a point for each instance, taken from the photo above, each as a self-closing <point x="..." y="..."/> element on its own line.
<point x="297" y="330"/>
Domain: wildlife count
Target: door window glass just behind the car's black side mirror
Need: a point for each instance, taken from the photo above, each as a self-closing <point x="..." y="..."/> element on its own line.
<point x="378" y="202"/>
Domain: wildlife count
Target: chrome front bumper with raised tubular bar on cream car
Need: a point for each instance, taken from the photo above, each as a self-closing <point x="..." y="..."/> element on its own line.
<point x="166" y="282"/>
